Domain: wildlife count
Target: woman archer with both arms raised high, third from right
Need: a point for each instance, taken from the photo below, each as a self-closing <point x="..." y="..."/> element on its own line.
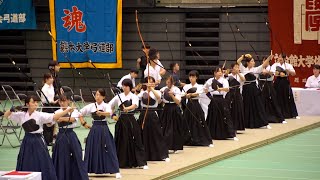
<point x="254" y="110"/>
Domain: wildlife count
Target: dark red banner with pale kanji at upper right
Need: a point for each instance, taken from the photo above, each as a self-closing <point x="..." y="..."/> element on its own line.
<point x="295" y="31"/>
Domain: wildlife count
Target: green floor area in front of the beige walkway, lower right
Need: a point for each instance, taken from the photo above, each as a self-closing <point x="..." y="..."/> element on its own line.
<point x="297" y="157"/>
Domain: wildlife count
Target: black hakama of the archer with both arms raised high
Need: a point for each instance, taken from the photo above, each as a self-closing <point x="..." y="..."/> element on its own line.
<point x="254" y="111"/>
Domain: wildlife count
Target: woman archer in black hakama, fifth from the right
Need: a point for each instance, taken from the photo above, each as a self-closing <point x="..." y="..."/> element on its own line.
<point x="219" y="117"/>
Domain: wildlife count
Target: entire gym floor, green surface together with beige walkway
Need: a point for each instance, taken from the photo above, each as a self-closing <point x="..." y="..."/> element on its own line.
<point x="292" y="158"/>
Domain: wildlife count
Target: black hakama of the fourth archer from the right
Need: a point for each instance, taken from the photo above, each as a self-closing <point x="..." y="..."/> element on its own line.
<point x="235" y="100"/>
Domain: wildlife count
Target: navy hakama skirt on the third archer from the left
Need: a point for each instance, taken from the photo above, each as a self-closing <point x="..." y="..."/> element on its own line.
<point x="100" y="154"/>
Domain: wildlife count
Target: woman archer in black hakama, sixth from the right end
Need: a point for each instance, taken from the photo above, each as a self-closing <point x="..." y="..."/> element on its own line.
<point x="194" y="115"/>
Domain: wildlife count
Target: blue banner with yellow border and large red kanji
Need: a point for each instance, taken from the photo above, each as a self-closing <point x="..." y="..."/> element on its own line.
<point x="85" y="32"/>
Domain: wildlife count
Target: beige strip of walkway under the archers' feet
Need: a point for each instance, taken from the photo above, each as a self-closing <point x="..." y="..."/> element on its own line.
<point x="195" y="157"/>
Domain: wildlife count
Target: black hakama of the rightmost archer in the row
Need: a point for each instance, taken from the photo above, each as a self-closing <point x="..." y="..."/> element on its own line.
<point x="285" y="97"/>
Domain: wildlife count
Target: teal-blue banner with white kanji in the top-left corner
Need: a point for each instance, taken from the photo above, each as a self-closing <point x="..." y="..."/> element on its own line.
<point x="17" y="14"/>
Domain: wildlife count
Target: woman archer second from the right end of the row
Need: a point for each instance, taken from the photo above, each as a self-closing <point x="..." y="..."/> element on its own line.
<point x="269" y="96"/>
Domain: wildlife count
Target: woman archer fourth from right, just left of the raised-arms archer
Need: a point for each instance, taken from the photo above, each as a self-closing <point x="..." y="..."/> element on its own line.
<point x="236" y="80"/>
